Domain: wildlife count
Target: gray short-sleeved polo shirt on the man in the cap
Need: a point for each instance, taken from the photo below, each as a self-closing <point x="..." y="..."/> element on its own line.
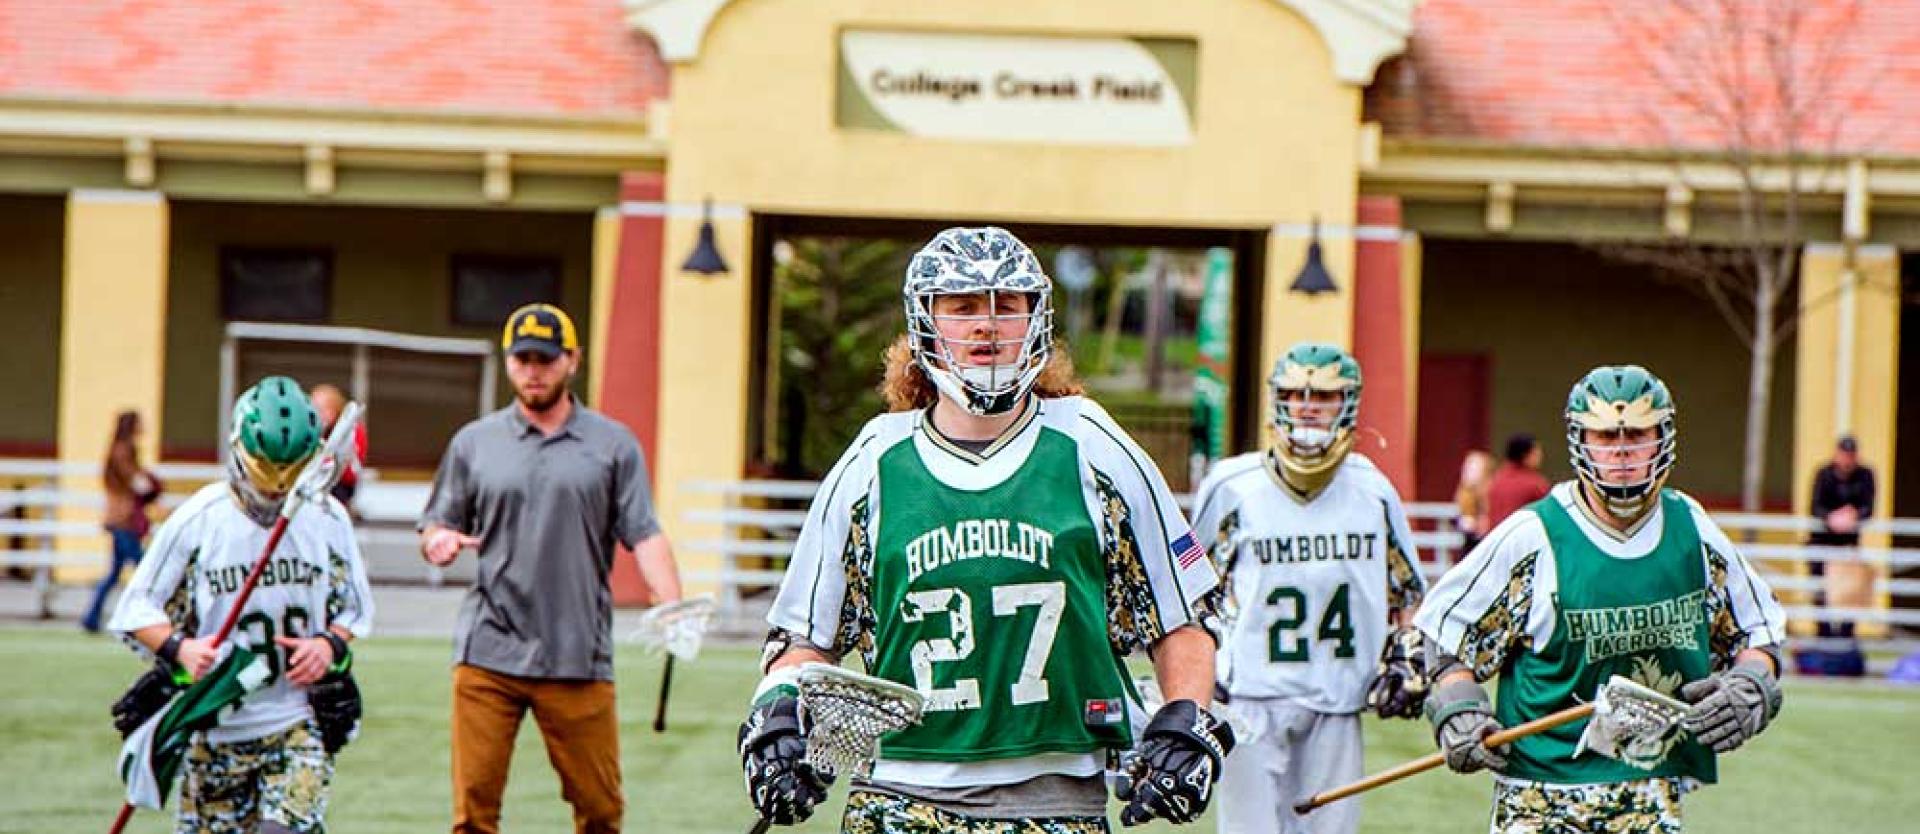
<point x="548" y="512"/>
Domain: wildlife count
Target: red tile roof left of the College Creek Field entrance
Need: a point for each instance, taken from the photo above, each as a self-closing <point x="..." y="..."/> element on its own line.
<point x="521" y="57"/>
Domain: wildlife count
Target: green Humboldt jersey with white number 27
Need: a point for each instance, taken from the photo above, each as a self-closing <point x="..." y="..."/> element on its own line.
<point x="1001" y="612"/>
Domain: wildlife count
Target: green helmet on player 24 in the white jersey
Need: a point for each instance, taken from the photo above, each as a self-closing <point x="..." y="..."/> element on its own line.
<point x="1310" y="453"/>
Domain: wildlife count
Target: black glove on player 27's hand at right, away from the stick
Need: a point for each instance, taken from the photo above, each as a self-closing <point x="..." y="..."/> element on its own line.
<point x="1180" y="762"/>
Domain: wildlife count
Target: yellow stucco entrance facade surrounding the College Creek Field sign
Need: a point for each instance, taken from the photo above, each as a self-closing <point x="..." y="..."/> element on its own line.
<point x="754" y="126"/>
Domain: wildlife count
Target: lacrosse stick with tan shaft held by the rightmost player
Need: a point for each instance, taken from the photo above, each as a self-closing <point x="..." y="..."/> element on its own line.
<point x="1625" y="718"/>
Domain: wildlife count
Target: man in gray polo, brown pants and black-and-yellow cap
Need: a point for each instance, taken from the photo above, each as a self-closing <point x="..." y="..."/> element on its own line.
<point x="544" y="489"/>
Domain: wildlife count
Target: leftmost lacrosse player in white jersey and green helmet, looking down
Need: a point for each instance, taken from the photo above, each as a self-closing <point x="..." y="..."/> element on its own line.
<point x="268" y="766"/>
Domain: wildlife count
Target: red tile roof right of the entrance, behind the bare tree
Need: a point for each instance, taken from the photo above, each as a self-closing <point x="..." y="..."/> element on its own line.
<point x="1568" y="74"/>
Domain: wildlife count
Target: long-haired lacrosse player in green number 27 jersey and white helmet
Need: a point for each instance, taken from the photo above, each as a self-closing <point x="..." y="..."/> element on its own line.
<point x="999" y="545"/>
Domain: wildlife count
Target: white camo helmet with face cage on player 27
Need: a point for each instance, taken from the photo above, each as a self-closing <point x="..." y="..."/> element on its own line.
<point x="986" y="260"/>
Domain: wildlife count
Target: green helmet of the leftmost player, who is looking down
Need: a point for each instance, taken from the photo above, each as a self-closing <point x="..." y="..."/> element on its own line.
<point x="276" y="433"/>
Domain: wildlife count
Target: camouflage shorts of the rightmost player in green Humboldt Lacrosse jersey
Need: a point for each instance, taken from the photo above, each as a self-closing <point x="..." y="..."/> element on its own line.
<point x="1618" y="808"/>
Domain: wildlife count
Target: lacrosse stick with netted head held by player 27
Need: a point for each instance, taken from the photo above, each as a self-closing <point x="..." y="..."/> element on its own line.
<point x="846" y="714"/>
